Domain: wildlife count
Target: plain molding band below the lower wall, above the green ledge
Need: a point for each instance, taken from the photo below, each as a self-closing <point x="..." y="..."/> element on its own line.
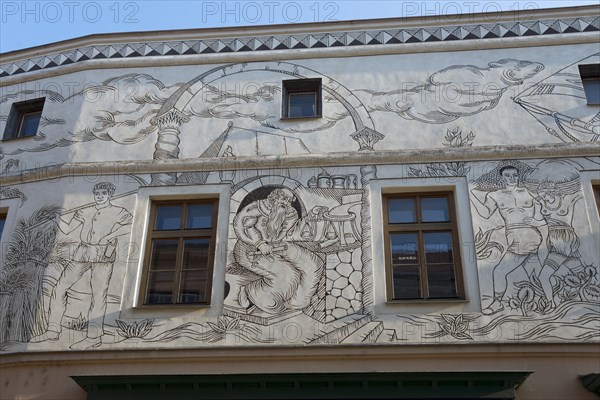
<point x="305" y="354"/>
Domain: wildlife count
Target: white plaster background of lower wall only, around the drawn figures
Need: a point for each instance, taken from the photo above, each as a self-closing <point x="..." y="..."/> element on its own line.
<point x="572" y="320"/>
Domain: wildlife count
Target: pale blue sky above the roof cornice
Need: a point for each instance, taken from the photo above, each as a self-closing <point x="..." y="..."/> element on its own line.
<point x="33" y="23"/>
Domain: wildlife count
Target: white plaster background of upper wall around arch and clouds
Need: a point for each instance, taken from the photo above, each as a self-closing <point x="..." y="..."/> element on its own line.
<point x="89" y="99"/>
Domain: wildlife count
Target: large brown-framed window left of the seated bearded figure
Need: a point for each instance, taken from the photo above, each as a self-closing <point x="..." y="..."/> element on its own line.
<point x="180" y="252"/>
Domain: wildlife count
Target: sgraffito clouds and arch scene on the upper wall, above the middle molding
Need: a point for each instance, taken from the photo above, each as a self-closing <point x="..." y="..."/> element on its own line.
<point x="133" y="108"/>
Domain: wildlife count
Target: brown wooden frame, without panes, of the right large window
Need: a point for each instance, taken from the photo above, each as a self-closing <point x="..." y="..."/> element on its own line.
<point x="420" y="228"/>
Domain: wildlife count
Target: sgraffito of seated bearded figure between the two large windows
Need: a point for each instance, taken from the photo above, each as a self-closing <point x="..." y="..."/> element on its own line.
<point x="289" y="258"/>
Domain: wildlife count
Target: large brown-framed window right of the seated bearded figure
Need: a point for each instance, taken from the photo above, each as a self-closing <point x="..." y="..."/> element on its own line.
<point x="421" y="247"/>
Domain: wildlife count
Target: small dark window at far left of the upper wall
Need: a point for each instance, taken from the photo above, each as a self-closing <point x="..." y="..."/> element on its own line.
<point x="24" y="119"/>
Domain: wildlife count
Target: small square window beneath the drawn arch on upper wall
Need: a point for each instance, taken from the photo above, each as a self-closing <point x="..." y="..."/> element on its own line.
<point x="302" y="98"/>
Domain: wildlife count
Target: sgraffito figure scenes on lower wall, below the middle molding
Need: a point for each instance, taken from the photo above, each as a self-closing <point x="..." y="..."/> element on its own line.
<point x="295" y="265"/>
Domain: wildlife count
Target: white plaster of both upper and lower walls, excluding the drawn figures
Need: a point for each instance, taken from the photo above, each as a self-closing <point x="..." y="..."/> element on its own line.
<point x="239" y="115"/>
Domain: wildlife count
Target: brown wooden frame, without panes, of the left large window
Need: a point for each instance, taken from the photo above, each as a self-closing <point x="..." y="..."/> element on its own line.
<point x="180" y="234"/>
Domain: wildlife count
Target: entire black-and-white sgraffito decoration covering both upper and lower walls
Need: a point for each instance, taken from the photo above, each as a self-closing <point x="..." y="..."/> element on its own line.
<point x="299" y="265"/>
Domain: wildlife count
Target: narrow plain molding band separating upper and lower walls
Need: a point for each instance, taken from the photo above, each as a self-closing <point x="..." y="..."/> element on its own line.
<point x="391" y="157"/>
